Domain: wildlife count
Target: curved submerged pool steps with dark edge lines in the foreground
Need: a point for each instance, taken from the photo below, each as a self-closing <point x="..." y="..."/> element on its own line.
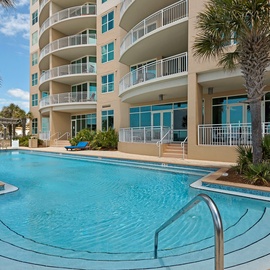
<point x="240" y="248"/>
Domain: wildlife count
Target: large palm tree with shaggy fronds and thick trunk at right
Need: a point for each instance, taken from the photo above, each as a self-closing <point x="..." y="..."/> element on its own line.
<point x="246" y="25"/>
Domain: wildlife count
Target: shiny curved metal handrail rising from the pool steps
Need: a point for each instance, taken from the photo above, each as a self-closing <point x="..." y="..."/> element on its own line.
<point x="218" y="227"/>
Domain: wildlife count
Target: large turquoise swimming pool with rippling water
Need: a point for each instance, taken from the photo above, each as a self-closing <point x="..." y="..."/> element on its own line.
<point x="72" y="210"/>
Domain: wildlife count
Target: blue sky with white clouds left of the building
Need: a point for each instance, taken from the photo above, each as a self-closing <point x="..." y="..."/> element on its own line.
<point x="14" y="55"/>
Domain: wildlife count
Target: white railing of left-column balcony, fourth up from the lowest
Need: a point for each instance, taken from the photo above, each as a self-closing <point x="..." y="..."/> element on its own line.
<point x="68" y="13"/>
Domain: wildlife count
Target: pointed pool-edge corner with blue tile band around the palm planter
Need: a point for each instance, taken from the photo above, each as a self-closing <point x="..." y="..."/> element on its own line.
<point x="211" y="183"/>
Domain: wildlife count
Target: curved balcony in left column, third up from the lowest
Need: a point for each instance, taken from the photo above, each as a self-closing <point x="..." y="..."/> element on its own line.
<point x="69" y="48"/>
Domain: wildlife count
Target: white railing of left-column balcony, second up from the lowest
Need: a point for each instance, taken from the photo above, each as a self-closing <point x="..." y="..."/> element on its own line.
<point x="67" y="70"/>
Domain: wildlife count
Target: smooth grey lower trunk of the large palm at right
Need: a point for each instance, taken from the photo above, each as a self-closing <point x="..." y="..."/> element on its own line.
<point x="255" y="109"/>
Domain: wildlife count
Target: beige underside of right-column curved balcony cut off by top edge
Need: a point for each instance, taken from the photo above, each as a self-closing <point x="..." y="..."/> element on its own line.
<point x="131" y="11"/>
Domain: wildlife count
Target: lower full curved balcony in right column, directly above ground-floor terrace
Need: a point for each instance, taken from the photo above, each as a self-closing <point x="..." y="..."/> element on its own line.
<point x="166" y="77"/>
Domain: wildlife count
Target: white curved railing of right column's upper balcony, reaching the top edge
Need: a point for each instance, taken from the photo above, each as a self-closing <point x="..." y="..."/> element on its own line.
<point x="157" y="20"/>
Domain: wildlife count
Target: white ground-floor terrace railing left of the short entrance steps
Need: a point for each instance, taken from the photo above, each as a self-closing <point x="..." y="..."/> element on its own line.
<point x="142" y="134"/>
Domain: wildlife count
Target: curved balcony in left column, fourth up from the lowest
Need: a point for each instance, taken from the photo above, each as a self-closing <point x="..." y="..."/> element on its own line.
<point x="78" y="12"/>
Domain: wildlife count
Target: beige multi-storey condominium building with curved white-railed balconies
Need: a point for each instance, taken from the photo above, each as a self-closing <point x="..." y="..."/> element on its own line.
<point x="129" y="65"/>
